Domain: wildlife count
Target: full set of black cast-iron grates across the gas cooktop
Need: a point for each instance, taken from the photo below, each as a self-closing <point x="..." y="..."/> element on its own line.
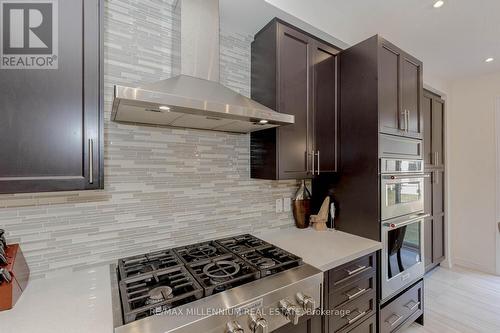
<point x="153" y="283"/>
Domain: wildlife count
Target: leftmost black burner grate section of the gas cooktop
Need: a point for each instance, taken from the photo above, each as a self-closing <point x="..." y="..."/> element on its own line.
<point x="156" y="292"/>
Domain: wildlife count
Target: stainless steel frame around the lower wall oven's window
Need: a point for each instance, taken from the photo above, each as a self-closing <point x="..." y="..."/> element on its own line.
<point x="391" y="287"/>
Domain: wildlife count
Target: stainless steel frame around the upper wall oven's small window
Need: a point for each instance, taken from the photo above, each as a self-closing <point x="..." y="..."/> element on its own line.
<point x="402" y="209"/>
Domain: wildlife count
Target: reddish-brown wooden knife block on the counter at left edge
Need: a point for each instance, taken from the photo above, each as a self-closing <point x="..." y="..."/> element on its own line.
<point x="18" y="268"/>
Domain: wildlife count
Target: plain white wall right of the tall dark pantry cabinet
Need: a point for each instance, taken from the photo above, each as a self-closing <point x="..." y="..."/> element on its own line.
<point x="472" y="168"/>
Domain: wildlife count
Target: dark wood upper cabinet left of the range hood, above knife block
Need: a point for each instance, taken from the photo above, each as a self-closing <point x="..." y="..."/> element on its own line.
<point x="51" y="134"/>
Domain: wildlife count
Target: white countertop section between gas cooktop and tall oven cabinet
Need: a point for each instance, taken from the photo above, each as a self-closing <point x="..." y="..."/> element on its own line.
<point x="322" y="249"/>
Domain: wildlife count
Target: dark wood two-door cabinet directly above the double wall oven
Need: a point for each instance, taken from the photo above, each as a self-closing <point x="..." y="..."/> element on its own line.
<point x="401" y="90"/>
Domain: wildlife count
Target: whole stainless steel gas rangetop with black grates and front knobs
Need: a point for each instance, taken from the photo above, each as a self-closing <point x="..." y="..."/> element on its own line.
<point x="234" y="285"/>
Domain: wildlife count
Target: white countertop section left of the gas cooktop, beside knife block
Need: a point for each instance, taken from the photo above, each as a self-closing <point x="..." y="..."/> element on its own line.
<point x="71" y="303"/>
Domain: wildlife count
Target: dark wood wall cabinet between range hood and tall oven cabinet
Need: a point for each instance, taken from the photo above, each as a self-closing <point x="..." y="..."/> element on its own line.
<point x="294" y="73"/>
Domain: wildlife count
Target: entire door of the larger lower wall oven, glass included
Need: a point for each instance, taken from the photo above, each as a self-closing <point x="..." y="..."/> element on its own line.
<point x="402" y="259"/>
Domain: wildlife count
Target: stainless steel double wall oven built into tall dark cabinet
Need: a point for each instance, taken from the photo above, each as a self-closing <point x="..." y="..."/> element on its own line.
<point x="402" y="218"/>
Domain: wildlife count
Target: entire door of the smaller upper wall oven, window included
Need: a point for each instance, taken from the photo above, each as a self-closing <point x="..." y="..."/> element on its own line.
<point x="402" y="195"/>
